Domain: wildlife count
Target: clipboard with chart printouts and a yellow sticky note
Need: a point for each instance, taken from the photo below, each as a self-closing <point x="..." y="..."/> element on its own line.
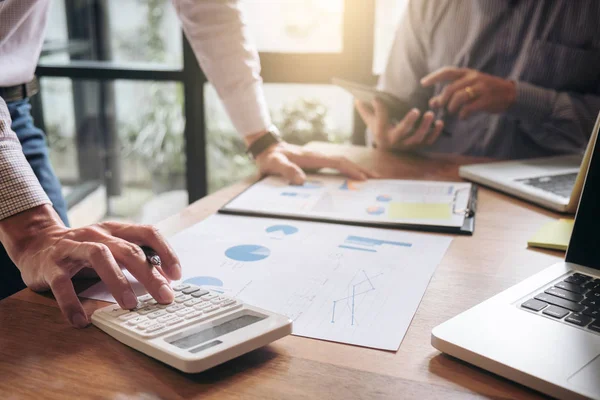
<point x="383" y="202"/>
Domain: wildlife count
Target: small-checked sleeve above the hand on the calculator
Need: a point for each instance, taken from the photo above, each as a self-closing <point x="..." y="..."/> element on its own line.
<point x="20" y="189"/>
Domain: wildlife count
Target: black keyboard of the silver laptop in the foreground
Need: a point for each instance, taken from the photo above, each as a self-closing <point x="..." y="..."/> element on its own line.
<point x="575" y="300"/>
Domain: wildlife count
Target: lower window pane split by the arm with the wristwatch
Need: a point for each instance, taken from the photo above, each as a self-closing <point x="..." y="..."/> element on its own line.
<point x="302" y="112"/>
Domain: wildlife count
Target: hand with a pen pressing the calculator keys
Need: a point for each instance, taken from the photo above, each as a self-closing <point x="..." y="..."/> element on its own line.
<point x="48" y="254"/>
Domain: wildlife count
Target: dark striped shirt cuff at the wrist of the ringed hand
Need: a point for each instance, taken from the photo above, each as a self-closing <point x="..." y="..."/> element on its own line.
<point x="533" y="103"/>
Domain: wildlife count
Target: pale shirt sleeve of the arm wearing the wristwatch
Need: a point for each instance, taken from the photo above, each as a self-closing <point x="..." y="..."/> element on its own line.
<point x="221" y="43"/>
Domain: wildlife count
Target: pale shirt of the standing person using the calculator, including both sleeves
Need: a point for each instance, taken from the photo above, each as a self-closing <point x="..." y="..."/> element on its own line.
<point x="217" y="33"/>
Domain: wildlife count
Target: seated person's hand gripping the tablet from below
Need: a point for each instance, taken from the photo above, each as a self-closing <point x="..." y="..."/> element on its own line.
<point x="403" y="135"/>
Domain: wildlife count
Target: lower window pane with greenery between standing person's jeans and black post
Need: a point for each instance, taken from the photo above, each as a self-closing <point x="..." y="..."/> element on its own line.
<point x="124" y="164"/>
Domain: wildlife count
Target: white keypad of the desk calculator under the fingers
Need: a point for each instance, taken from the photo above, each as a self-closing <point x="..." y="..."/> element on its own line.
<point x="192" y="305"/>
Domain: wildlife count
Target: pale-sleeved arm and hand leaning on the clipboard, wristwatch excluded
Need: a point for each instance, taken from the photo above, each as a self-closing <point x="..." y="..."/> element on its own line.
<point x="221" y="43"/>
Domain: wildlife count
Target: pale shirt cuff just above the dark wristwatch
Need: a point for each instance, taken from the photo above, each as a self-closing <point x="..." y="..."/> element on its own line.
<point x="248" y="110"/>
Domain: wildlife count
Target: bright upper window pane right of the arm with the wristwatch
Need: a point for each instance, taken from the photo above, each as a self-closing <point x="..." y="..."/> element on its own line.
<point x="295" y="26"/>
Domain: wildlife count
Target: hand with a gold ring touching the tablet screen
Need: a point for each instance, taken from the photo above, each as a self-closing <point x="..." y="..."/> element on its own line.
<point x="470" y="91"/>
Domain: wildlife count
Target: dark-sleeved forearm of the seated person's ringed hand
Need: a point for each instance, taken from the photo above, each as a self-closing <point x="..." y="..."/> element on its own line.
<point x="566" y="118"/>
